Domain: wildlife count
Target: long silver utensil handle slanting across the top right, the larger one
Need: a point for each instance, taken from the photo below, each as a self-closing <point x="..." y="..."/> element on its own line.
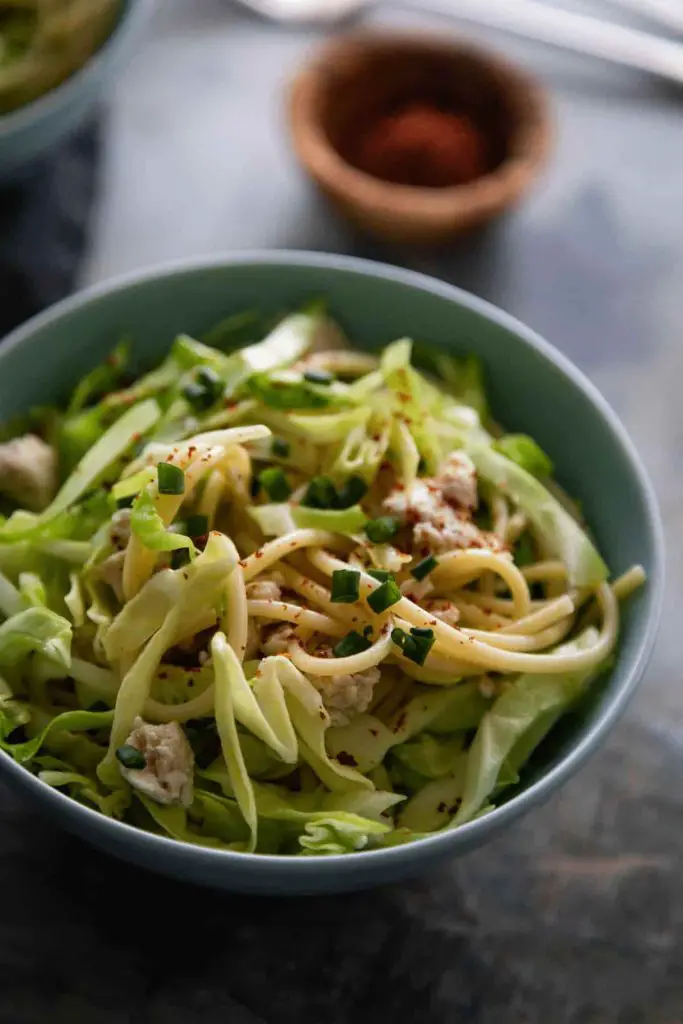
<point x="566" y="29"/>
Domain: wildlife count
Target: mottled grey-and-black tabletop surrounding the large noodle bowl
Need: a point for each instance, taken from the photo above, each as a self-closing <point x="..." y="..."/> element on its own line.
<point x="576" y="916"/>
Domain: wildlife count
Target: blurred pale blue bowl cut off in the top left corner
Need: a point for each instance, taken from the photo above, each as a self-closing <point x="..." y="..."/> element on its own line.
<point x="30" y="132"/>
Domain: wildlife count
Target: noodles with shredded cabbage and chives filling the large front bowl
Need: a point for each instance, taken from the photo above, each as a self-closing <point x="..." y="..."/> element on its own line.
<point x="292" y="599"/>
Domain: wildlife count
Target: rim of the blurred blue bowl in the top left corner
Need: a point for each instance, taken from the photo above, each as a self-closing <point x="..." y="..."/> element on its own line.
<point x="132" y="18"/>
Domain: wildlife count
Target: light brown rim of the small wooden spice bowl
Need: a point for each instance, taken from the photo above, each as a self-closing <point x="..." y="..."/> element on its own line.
<point x="499" y="186"/>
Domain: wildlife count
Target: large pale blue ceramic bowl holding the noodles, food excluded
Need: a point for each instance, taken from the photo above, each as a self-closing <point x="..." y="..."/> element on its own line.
<point x="533" y="390"/>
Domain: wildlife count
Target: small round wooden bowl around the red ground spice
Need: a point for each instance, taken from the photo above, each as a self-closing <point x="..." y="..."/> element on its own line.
<point x="362" y="78"/>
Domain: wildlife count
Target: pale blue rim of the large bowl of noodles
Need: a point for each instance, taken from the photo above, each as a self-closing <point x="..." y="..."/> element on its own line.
<point x="338" y="866"/>
